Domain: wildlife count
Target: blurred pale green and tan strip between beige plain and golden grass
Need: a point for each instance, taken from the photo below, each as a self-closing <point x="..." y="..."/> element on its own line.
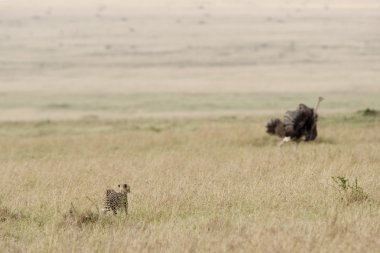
<point x="35" y="106"/>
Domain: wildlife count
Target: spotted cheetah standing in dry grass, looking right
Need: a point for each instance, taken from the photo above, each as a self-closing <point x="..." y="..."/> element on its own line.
<point x="116" y="200"/>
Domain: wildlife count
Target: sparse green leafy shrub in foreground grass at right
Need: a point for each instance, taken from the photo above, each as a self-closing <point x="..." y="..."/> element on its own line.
<point x="351" y="192"/>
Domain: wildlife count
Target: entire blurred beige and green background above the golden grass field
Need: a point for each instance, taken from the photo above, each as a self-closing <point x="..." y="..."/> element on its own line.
<point x="137" y="58"/>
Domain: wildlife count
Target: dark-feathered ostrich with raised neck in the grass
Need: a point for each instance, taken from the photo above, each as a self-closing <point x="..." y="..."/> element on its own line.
<point x="297" y="125"/>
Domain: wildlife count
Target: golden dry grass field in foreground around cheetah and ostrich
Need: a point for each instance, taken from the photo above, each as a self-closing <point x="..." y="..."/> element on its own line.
<point x="198" y="185"/>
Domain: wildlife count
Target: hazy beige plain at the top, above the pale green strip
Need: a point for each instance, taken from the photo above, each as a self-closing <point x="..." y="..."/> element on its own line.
<point x="189" y="46"/>
